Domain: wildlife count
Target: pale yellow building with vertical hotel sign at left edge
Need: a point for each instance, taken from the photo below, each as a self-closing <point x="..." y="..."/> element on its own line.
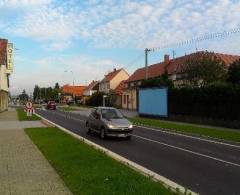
<point x="6" y="68"/>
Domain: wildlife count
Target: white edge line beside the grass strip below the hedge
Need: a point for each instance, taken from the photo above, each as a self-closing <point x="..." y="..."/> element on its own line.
<point x="188" y="136"/>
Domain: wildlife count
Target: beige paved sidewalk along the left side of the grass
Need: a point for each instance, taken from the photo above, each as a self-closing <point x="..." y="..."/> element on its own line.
<point x="23" y="168"/>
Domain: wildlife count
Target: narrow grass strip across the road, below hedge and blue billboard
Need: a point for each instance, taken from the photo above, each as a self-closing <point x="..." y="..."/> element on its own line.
<point x="229" y="135"/>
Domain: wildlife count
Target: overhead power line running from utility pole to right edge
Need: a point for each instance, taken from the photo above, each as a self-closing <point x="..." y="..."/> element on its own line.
<point x="210" y="36"/>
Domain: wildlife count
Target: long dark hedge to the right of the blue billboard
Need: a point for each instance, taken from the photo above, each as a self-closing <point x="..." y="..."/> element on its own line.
<point x="216" y="102"/>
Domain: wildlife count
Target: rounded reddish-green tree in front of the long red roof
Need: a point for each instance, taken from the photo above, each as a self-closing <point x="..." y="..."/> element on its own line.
<point x="203" y="69"/>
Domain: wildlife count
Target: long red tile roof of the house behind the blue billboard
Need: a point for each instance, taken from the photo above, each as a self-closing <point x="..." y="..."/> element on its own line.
<point x="175" y="66"/>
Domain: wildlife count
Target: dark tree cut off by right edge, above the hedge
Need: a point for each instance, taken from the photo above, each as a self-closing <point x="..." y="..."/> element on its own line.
<point x="234" y="73"/>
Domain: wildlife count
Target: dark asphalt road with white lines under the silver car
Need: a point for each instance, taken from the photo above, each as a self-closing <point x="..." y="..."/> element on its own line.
<point x="200" y="165"/>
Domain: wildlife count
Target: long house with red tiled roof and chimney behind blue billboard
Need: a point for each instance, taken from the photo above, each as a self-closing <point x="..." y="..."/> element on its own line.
<point x="174" y="68"/>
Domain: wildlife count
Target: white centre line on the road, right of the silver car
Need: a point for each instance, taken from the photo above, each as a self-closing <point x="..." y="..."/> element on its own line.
<point x="186" y="150"/>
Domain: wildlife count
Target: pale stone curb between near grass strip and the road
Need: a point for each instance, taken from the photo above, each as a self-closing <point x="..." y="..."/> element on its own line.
<point x="148" y="173"/>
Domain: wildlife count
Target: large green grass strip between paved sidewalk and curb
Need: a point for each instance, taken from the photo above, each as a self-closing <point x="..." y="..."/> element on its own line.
<point x="86" y="170"/>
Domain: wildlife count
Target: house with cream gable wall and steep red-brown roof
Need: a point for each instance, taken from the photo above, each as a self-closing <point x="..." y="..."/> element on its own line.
<point x="111" y="80"/>
